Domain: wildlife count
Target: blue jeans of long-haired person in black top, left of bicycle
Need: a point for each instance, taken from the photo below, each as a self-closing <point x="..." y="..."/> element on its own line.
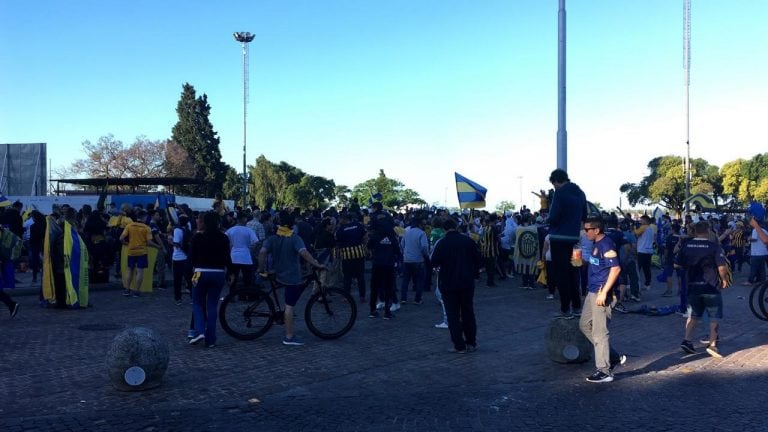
<point x="205" y="291"/>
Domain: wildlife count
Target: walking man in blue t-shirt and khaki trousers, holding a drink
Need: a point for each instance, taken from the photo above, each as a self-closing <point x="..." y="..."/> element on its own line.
<point x="603" y="274"/>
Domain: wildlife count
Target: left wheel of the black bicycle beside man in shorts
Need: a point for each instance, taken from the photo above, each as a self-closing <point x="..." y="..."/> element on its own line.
<point x="247" y="314"/>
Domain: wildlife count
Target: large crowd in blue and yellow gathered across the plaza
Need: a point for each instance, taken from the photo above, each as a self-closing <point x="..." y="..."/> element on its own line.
<point x="594" y="264"/>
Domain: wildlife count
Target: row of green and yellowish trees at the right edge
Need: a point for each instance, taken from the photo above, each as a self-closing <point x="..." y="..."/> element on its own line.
<point x="733" y="186"/>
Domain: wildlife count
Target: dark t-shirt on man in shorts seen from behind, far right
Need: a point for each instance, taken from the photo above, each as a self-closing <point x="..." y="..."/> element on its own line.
<point x="701" y="258"/>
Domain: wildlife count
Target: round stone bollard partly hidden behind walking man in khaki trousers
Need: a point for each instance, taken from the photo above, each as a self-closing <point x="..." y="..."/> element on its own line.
<point x="566" y="343"/>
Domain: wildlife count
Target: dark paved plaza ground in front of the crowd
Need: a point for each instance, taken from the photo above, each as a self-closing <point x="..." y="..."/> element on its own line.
<point x="383" y="376"/>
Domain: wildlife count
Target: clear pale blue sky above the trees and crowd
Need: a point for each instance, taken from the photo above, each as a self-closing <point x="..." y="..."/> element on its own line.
<point x="419" y="88"/>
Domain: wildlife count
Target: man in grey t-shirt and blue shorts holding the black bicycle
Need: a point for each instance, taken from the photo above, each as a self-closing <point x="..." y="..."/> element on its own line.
<point x="285" y="249"/>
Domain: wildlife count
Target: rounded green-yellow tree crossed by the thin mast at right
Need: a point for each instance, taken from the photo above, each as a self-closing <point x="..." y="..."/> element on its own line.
<point x="665" y="184"/>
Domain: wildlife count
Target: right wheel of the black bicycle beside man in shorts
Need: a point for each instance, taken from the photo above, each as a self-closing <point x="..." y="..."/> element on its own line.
<point x="330" y="313"/>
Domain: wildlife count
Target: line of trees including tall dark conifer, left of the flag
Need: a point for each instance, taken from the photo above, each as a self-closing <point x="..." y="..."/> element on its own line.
<point x="193" y="151"/>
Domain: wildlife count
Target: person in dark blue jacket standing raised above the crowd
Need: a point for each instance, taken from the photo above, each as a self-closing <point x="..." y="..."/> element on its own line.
<point x="566" y="215"/>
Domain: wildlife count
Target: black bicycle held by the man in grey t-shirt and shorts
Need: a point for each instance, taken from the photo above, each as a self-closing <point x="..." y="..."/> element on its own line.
<point x="249" y="313"/>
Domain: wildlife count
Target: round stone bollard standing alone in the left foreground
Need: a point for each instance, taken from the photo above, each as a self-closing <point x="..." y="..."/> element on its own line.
<point x="137" y="359"/>
